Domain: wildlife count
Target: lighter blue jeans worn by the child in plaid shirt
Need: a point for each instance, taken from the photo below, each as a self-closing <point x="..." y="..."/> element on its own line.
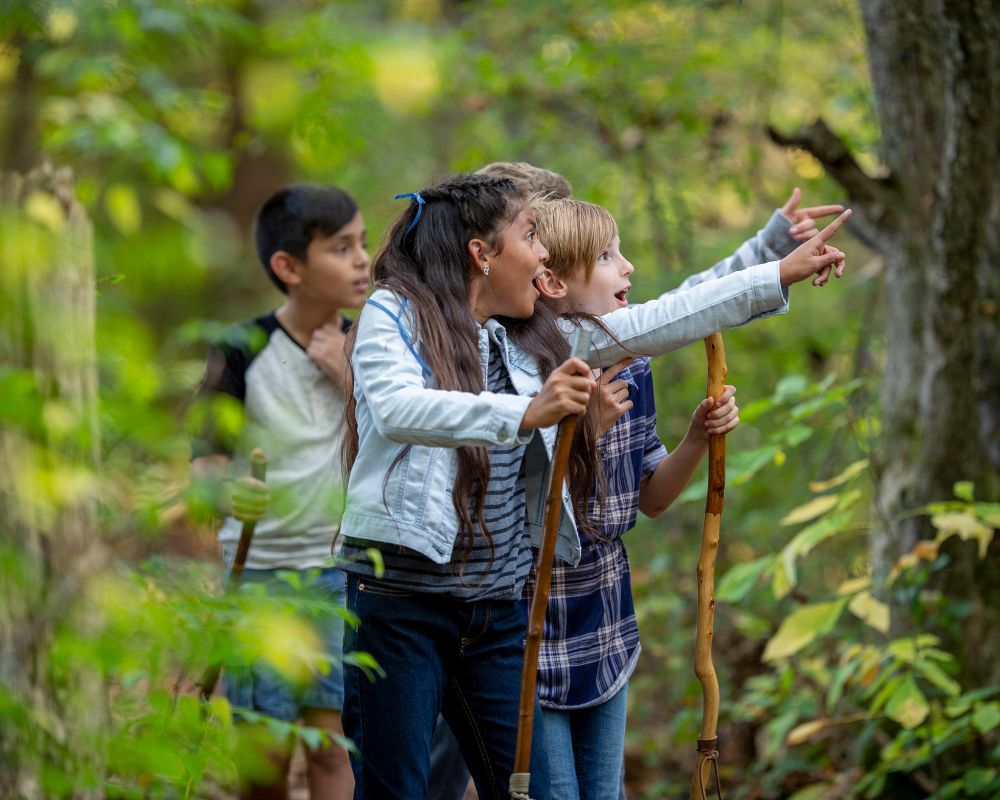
<point x="586" y="749"/>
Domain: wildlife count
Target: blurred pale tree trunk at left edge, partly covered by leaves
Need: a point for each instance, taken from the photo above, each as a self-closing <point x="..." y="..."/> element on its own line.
<point x="48" y="511"/>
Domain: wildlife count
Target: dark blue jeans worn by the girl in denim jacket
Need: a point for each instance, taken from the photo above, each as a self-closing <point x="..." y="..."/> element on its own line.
<point x="462" y="659"/>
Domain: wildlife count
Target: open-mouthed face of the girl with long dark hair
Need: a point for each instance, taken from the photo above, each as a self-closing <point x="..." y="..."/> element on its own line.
<point x="509" y="290"/>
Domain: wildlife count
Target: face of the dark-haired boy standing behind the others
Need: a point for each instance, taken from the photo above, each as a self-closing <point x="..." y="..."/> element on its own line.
<point x="335" y="272"/>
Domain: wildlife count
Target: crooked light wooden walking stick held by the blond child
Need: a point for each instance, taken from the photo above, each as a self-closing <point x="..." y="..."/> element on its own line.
<point x="708" y="742"/>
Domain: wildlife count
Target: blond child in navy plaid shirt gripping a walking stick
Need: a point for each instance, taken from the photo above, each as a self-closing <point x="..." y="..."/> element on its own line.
<point x="590" y="642"/>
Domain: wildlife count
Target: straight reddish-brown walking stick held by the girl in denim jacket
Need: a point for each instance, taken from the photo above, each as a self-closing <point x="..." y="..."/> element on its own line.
<point x="520" y="779"/>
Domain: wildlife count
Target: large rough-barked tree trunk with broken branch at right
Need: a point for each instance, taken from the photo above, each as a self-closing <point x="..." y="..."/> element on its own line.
<point x="935" y="219"/>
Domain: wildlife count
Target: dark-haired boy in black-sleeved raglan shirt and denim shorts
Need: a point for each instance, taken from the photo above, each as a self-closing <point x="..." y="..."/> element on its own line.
<point x="286" y="371"/>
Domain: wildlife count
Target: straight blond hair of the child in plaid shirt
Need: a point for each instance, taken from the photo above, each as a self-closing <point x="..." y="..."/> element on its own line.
<point x="575" y="233"/>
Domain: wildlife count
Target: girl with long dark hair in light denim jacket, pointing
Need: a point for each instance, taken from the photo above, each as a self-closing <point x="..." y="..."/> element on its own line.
<point x="448" y="481"/>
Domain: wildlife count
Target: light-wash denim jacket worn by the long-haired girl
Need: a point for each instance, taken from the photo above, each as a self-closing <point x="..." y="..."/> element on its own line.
<point x="398" y="403"/>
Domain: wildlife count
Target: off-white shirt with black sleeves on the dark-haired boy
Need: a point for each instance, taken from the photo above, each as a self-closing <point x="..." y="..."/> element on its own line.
<point x="294" y="413"/>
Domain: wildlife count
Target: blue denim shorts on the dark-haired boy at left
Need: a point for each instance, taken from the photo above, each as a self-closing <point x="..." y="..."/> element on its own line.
<point x="259" y="687"/>
